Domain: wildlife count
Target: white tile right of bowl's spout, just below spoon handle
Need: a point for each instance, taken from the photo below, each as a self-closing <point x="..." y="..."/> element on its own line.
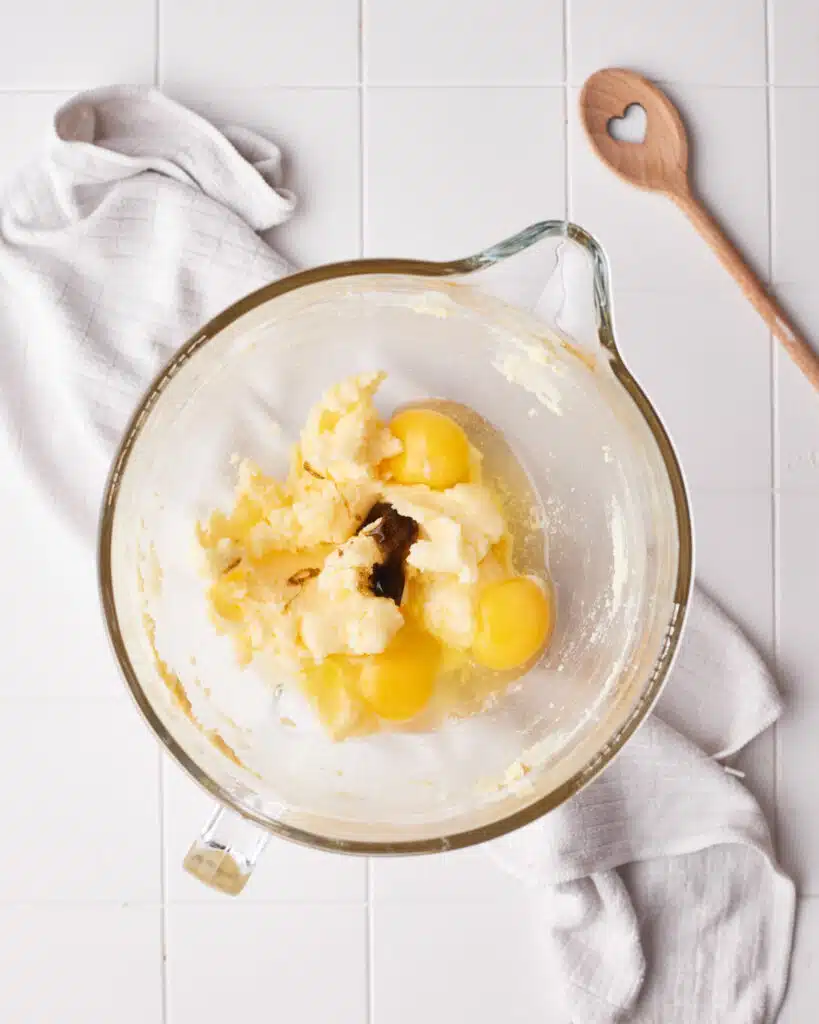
<point x="706" y="364"/>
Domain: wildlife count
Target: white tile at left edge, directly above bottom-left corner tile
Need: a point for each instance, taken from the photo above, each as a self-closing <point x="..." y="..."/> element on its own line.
<point x="81" y="807"/>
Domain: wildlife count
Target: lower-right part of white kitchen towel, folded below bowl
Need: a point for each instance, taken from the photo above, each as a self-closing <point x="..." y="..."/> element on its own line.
<point x="662" y="901"/>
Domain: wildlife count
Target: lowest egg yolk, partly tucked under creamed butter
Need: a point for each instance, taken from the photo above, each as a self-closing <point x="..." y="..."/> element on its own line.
<point x="399" y="682"/>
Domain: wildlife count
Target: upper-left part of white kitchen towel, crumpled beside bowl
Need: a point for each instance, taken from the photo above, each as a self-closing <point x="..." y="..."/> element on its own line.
<point x="139" y="224"/>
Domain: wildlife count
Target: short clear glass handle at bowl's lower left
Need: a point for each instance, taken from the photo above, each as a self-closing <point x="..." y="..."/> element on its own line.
<point x="226" y="854"/>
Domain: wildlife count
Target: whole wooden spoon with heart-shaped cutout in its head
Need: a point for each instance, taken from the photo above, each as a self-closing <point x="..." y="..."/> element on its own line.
<point x="660" y="163"/>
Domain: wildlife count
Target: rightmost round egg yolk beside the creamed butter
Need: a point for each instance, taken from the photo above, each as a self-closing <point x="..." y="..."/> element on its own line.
<point x="514" y="622"/>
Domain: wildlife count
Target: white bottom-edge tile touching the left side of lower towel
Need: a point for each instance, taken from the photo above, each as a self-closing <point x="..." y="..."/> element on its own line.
<point x="476" y="962"/>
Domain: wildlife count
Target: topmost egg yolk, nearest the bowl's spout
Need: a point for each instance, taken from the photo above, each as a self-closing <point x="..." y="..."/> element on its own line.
<point x="436" y="450"/>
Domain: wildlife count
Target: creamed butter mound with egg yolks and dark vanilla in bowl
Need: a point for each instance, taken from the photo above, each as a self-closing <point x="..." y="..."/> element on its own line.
<point x="379" y="577"/>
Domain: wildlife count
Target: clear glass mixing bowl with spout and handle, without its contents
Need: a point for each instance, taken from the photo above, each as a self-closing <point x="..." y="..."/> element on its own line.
<point x="617" y="521"/>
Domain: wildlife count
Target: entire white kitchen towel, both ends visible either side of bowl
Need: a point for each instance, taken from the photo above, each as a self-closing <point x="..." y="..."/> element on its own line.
<point x="662" y="902"/>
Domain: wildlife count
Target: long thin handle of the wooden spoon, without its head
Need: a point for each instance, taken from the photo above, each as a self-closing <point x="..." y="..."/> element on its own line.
<point x="797" y="348"/>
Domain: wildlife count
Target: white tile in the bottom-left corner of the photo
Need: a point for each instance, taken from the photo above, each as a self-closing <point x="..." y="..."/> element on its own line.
<point x="80" y="964"/>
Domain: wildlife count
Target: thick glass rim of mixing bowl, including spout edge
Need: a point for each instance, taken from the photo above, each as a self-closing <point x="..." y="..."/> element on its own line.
<point x="422" y="269"/>
